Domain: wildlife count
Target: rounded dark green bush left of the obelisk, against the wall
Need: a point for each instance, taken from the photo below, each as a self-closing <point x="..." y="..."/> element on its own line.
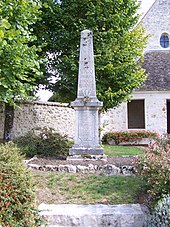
<point x="43" y="142"/>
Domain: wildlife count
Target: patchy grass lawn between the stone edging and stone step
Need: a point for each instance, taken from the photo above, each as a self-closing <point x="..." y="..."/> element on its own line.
<point x="87" y="189"/>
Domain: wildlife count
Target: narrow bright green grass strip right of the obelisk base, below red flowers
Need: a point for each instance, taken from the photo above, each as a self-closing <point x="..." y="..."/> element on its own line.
<point x="112" y="150"/>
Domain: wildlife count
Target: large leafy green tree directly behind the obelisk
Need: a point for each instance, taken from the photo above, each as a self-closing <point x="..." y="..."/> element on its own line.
<point x="118" y="46"/>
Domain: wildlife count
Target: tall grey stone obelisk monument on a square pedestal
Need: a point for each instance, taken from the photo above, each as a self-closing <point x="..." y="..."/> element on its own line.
<point x="86" y="105"/>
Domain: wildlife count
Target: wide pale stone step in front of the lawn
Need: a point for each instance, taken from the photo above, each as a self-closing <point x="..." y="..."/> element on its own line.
<point x="61" y="215"/>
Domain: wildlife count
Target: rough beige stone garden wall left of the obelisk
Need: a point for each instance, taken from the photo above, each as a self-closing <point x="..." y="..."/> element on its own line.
<point x="39" y="114"/>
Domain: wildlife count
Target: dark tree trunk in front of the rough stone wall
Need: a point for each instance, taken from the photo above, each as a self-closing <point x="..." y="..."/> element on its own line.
<point x="8" y="124"/>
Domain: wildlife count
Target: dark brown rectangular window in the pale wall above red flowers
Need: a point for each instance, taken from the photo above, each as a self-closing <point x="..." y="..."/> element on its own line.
<point x="136" y="114"/>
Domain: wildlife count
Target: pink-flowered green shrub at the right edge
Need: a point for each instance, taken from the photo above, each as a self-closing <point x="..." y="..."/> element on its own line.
<point x="154" y="166"/>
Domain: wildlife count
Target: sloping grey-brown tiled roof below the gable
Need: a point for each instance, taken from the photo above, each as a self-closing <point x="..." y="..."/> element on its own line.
<point x="157" y="66"/>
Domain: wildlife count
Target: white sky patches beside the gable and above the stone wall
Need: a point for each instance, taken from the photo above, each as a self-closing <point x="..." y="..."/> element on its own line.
<point x="44" y="95"/>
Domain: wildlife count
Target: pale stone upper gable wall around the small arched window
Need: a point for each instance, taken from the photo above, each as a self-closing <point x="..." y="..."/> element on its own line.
<point x="157" y="21"/>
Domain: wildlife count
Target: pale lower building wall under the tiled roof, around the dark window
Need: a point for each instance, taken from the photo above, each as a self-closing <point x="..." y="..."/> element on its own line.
<point x="155" y="113"/>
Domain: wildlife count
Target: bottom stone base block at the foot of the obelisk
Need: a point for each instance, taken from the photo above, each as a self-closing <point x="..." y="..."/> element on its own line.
<point x="86" y="151"/>
